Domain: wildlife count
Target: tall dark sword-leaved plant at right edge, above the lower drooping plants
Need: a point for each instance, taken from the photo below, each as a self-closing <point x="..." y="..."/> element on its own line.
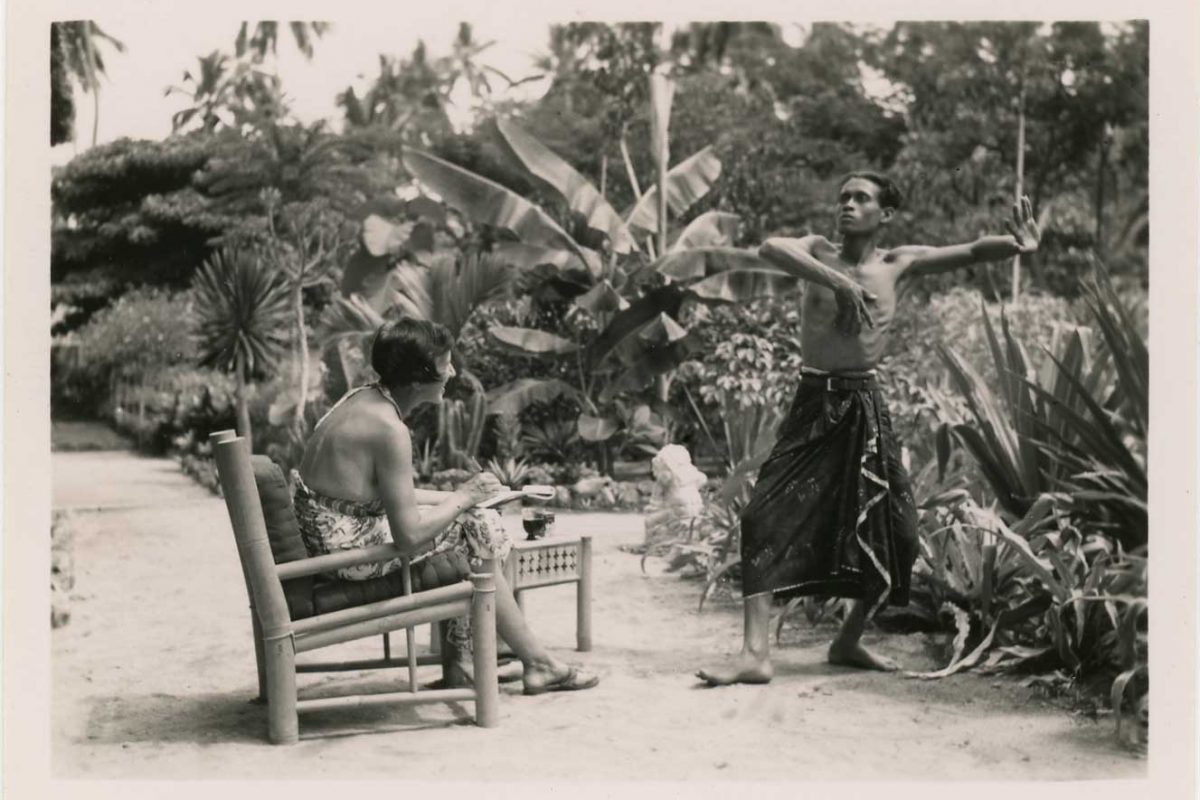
<point x="1078" y="425"/>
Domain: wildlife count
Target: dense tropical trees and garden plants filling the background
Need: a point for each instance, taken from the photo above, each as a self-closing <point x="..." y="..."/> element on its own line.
<point x="232" y="273"/>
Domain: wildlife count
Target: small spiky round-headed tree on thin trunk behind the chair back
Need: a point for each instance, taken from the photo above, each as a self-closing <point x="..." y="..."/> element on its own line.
<point x="243" y="321"/>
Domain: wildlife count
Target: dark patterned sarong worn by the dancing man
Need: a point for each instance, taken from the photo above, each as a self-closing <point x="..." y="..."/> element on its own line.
<point x="832" y="512"/>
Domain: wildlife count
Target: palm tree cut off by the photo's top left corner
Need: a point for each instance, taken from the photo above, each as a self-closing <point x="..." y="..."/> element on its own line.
<point x="75" y="56"/>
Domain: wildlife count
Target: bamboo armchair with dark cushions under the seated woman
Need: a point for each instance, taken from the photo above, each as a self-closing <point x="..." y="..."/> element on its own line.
<point x="291" y="615"/>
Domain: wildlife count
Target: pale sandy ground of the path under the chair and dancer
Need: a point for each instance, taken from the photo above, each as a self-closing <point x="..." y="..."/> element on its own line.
<point x="154" y="675"/>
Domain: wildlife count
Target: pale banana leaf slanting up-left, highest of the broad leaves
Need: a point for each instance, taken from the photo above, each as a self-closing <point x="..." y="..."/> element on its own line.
<point x="581" y="197"/>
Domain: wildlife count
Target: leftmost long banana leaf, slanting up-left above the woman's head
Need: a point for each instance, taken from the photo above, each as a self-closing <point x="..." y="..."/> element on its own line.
<point x="489" y="203"/>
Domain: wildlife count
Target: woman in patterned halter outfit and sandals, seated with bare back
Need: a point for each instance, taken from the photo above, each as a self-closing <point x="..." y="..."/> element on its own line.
<point x="355" y="489"/>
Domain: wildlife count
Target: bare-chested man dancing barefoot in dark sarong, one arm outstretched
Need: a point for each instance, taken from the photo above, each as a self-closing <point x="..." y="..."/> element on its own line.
<point x="832" y="512"/>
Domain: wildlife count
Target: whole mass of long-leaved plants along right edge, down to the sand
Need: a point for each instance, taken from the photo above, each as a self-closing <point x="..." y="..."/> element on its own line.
<point x="1054" y="578"/>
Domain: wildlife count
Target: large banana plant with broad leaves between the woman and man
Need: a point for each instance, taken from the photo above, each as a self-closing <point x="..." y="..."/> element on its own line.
<point x="626" y="297"/>
